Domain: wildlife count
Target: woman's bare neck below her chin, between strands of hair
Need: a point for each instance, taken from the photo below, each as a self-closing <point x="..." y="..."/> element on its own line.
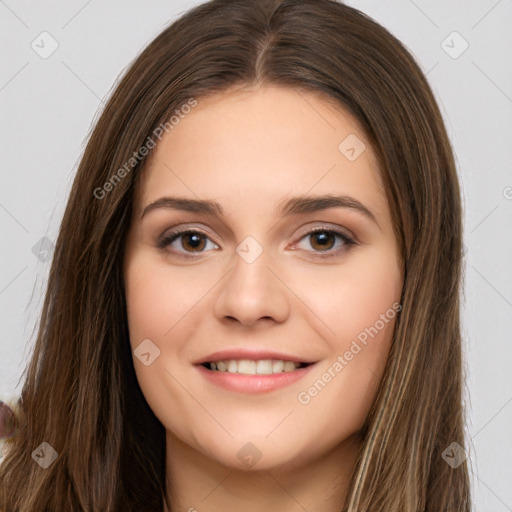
<point x="196" y="482"/>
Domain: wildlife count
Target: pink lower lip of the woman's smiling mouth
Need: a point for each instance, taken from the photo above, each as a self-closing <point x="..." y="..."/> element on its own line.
<point x="253" y="383"/>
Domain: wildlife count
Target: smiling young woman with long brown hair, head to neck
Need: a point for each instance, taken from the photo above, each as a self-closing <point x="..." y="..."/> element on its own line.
<point x="202" y="344"/>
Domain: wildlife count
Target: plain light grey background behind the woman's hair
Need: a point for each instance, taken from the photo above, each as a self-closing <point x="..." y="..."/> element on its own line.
<point x="49" y="104"/>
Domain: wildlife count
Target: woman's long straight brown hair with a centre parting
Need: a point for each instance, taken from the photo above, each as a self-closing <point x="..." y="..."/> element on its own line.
<point x="81" y="395"/>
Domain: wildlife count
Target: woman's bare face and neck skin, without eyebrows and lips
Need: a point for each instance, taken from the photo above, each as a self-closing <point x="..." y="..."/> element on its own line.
<point x="249" y="150"/>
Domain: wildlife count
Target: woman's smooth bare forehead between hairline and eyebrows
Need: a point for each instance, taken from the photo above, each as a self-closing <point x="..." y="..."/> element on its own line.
<point x="255" y="146"/>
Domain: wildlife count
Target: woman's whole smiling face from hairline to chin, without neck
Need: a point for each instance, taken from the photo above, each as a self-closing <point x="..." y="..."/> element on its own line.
<point x="266" y="247"/>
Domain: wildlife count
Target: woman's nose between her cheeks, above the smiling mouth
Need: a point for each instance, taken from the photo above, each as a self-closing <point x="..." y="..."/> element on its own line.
<point x="251" y="293"/>
